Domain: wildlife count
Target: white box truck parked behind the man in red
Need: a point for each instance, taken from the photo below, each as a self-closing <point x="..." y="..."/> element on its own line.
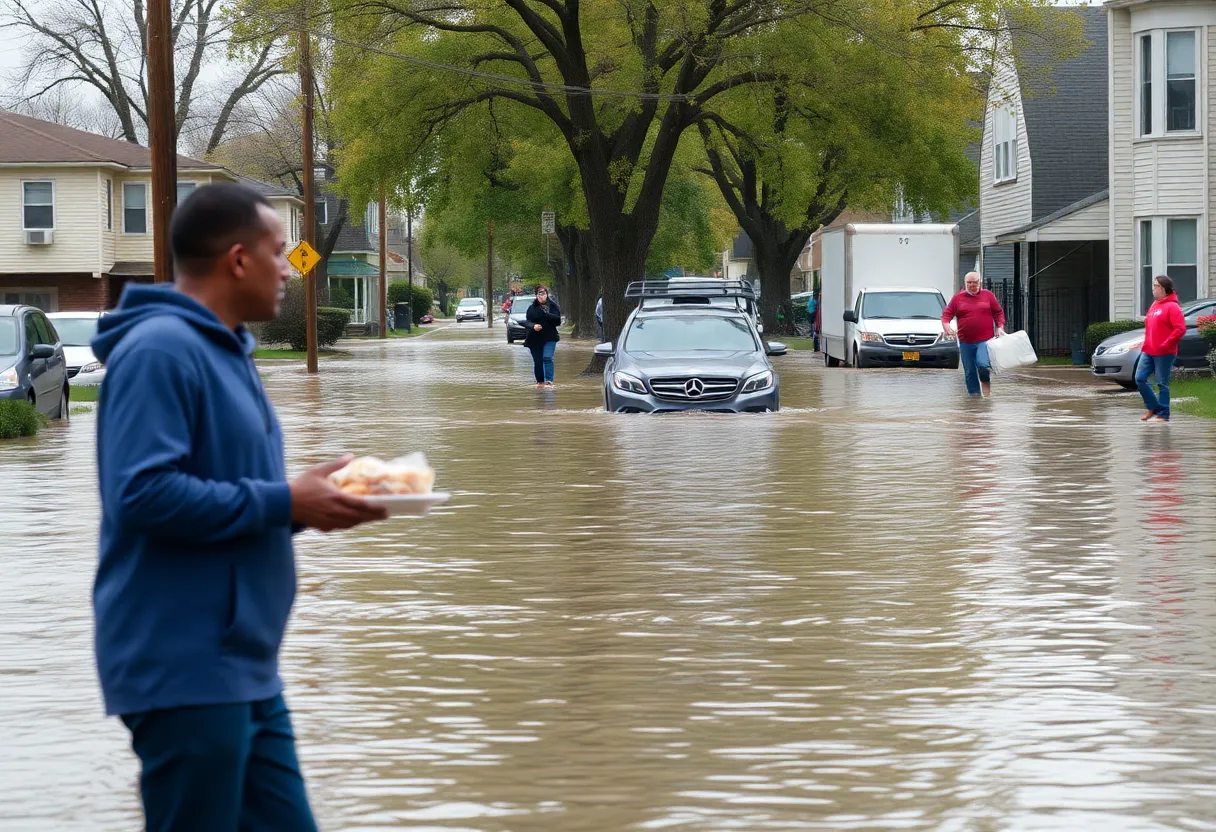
<point x="883" y="293"/>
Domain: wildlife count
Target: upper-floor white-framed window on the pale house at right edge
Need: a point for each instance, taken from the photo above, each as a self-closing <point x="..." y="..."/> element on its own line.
<point x="1168" y="68"/>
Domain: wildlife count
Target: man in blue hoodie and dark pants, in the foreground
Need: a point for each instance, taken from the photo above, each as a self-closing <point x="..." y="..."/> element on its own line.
<point x="198" y="576"/>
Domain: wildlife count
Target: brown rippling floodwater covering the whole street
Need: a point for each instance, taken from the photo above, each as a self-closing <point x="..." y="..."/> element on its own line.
<point x="886" y="608"/>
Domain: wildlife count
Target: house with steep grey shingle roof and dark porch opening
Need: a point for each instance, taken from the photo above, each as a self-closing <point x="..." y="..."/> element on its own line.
<point x="1044" y="179"/>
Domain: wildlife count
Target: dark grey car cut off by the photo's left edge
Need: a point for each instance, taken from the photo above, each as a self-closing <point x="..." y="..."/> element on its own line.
<point x="32" y="363"/>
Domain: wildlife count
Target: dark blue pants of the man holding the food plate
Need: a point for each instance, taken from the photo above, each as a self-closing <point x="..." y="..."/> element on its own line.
<point x="221" y="769"/>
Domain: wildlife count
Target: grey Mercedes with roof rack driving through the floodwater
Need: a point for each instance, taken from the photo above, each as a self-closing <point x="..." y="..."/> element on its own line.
<point x="690" y="355"/>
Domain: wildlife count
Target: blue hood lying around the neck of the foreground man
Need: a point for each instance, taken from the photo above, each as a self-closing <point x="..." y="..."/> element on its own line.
<point x="142" y="303"/>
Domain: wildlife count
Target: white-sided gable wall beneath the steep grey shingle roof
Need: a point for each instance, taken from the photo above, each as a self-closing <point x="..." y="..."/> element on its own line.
<point x="1007" y="206"/>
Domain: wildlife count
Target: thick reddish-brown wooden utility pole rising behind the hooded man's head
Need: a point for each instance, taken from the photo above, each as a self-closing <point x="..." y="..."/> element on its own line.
<point x="162" y="136"/>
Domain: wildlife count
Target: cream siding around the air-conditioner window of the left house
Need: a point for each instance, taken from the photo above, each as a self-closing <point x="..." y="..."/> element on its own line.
<point x="75" y="248"/>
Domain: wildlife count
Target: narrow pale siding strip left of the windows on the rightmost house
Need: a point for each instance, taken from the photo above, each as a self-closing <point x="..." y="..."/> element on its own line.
<point x="1123" y="238"/>
